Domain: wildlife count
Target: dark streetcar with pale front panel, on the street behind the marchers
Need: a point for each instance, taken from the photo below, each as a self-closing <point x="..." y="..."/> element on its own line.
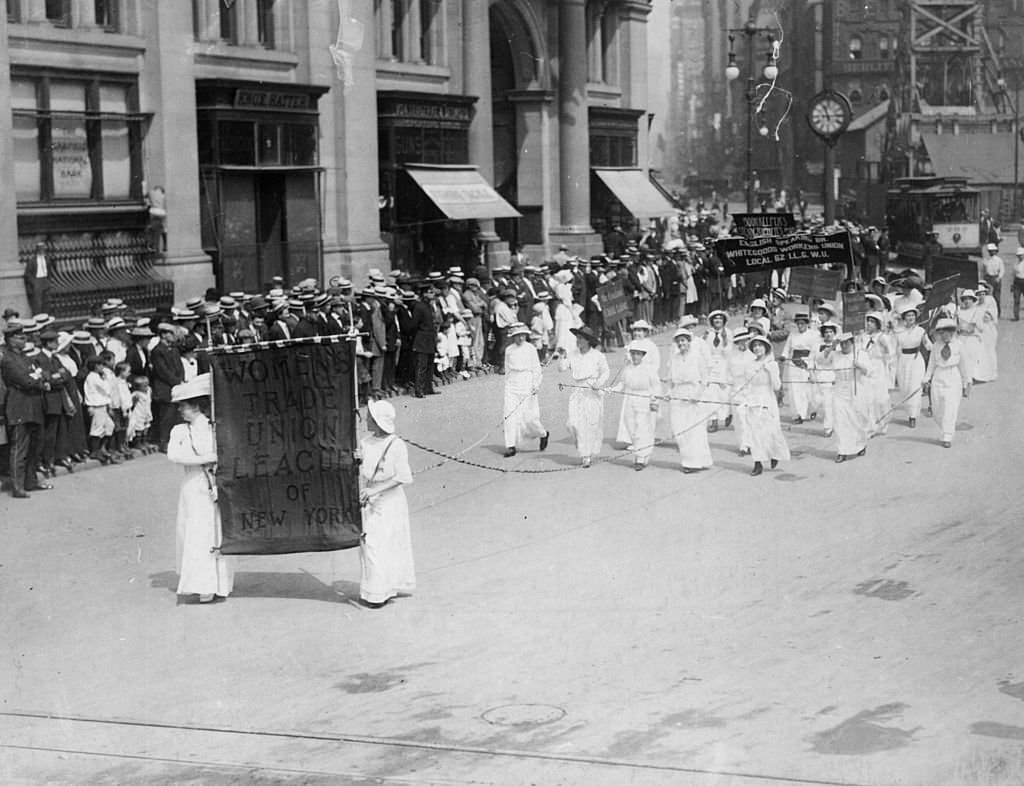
<point x="933" y="226"/>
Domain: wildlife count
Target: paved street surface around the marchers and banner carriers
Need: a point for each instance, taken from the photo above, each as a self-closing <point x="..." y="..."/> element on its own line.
<point x="822" y="625"/>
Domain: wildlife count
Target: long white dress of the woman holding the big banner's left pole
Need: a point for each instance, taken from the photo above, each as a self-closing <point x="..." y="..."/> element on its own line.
<point x="198" y="529"/>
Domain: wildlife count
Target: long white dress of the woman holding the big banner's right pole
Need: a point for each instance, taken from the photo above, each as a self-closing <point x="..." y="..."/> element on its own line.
<point x="387" y="550"/>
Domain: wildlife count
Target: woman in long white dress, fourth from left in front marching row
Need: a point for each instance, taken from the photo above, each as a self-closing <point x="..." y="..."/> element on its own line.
<point x="689" y="380"/>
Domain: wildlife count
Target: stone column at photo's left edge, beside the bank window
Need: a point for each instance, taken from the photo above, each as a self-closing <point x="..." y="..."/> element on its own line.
<point x="12" y="286"/>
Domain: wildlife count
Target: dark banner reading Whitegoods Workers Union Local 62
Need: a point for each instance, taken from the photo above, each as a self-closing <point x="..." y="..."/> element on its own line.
<point x="742" y="255"/>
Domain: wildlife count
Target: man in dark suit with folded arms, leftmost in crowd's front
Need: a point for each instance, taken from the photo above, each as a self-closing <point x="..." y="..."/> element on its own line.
<point x="26" y="386"/>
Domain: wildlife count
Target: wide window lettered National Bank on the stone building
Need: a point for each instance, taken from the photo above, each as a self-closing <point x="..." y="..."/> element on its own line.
<point x="76" y="140"/>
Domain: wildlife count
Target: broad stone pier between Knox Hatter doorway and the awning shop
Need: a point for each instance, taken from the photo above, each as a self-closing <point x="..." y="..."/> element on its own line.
<point x="349" y="153"/>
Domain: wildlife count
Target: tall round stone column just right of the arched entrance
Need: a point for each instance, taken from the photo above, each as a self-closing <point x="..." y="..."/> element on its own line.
<point x="574" y="132"/>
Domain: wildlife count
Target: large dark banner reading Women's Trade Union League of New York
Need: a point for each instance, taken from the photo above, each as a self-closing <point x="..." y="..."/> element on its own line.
<point x="286" y="435"/>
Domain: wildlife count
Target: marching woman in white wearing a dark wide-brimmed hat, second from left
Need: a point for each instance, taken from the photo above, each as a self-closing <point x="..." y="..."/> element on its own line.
<point x="590" y="374"/>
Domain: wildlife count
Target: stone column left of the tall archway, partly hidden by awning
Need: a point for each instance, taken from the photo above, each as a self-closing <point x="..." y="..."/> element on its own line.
<point x="477" y="81"/>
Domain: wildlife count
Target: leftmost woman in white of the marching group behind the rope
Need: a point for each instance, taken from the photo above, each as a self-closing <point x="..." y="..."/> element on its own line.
<point x="523" y="381"/>
